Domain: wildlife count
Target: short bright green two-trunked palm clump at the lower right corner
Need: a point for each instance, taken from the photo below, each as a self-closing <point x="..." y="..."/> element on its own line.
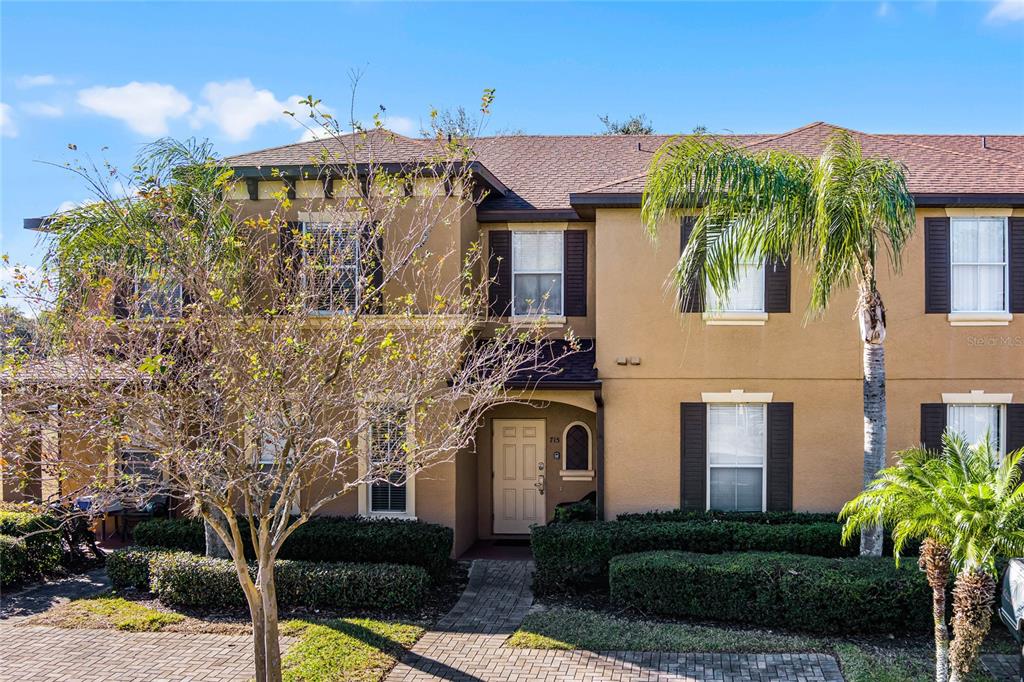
<point x="968" y="505"/>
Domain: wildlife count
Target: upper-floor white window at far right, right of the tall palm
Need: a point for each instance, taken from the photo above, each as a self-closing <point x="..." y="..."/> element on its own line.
<point x="978" y="252"/>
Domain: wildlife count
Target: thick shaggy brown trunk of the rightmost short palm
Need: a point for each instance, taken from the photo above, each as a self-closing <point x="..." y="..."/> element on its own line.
<point x="974" y="594"/>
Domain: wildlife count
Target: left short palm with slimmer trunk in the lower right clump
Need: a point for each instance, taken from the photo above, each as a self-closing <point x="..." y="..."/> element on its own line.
<point x="902" y="499"/>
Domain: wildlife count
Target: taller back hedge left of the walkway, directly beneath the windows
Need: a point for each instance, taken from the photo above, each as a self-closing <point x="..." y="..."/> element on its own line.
<point x="330" y="539"/>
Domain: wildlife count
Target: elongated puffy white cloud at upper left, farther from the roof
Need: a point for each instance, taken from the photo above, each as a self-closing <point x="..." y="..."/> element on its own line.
<point x="146" y="108"/>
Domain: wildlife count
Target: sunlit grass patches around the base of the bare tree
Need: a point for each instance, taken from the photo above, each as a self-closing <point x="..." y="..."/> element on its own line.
<point x="344" y="650"/>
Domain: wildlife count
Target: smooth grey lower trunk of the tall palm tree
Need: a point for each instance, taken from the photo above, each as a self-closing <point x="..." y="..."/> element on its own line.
<point x="876" y="436"/>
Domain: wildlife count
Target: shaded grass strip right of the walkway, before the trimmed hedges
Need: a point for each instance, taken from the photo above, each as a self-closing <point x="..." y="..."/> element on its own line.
<point x="863" y="661"/>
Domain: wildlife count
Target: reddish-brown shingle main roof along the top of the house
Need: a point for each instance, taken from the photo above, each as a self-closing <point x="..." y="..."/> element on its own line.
<point x="541" y="172"/>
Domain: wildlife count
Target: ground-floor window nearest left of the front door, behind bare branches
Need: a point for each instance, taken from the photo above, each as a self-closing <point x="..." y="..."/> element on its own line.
<point x="389" y="448"/>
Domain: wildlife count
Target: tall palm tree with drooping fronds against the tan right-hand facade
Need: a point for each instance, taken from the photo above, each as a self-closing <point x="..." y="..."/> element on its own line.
<point x="839" y="215"/>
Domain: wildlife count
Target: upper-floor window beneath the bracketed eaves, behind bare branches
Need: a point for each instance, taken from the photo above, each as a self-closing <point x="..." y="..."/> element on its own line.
<point x="333" y="266"/>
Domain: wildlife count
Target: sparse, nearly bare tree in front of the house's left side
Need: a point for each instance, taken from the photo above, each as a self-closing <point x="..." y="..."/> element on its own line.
<point x="263" y="369"/>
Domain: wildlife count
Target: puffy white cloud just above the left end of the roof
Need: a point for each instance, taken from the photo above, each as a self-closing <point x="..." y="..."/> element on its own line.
<point x="237" y="108"/>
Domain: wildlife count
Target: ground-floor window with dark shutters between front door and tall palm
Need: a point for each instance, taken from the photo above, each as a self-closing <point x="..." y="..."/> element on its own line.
<point x="737" y="447"/>
